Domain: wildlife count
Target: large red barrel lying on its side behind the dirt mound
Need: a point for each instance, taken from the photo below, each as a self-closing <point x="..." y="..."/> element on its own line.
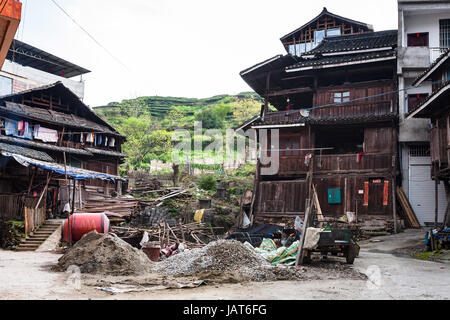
<point x="83" y="223"/>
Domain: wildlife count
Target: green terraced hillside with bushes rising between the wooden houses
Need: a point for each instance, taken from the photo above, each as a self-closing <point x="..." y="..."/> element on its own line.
<point x="148" y="122"/>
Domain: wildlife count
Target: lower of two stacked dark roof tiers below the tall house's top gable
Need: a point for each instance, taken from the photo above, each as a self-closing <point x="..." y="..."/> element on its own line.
<point x="331" y="60"/>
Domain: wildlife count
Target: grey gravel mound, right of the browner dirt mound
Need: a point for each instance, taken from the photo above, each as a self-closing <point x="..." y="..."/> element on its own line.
<point x="225" y="261"/>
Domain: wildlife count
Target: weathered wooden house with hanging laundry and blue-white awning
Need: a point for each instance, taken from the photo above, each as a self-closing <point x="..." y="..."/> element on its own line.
<point x="53" y="148"/>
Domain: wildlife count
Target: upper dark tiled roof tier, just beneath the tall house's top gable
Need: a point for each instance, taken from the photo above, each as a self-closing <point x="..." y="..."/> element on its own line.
<point x="355" y="42"/>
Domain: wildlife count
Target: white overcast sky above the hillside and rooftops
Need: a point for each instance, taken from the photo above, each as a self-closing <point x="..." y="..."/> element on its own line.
<point x="184" y="48"/>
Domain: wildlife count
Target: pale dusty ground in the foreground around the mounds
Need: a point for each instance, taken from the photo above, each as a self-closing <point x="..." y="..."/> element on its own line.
<point x="390" y="274"/>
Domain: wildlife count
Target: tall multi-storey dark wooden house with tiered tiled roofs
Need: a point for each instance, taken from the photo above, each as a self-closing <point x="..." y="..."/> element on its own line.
<point x="335" y="107"/>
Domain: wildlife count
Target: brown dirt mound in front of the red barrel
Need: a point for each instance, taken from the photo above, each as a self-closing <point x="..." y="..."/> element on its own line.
<point x="105" y="254"/>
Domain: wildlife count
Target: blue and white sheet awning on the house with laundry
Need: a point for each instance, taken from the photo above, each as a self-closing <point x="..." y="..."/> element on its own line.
<point x="75" y="173"/>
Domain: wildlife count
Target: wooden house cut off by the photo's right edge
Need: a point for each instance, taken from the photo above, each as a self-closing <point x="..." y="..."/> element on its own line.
<point x="436" y="107"/>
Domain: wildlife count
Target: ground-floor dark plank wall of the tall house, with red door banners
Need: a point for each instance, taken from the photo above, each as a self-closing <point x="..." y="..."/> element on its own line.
<point x="287" y="198"/>
